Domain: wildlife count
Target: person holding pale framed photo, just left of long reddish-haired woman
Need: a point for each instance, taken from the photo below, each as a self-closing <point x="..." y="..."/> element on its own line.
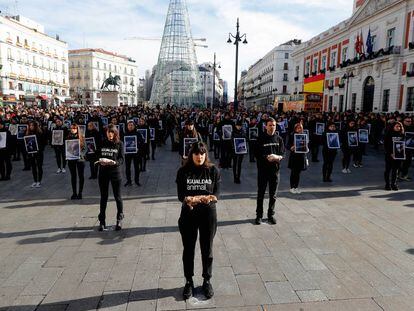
<point x="58" y="135"/>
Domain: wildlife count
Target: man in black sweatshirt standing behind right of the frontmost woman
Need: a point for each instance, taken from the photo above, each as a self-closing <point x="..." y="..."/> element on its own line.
<point x="270" y="153"/>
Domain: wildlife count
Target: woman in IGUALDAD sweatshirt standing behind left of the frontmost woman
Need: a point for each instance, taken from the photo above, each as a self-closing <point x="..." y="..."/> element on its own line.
<point x="110" y="159"/>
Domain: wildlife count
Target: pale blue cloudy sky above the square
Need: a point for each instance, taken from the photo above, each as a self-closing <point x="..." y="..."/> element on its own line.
<point x="105" y="24"/>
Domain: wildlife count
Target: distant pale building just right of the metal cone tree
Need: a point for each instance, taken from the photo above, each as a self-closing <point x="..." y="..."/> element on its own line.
<point x="206" y="79"/>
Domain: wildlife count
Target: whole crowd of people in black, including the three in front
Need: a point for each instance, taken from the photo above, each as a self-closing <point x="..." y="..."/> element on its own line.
<point x="108" y="137"/>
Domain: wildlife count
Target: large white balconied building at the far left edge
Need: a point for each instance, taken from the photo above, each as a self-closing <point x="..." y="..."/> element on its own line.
<point x="33" y="65"/>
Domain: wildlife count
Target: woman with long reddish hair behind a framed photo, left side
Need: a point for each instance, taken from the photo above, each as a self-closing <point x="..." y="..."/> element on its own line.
<point x="77" y="166"/>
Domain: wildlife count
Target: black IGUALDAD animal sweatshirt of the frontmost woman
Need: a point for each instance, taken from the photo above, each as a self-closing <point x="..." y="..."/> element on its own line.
<point x="194" y="181"/>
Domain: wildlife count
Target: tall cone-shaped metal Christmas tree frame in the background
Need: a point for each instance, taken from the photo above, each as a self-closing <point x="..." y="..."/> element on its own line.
<point x="177" y="80"/>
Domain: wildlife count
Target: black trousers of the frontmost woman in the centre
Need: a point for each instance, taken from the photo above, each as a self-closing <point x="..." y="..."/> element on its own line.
<point x="203" y="219"/>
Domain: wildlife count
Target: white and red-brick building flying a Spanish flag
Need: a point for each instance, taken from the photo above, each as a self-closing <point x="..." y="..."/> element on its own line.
<point x="329" y="64"/>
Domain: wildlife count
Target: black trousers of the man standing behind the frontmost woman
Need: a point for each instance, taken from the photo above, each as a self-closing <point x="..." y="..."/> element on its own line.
<point x="263" y="179"/>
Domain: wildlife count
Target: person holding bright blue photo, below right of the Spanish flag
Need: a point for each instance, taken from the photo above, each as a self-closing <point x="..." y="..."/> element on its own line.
<point x="329" y="151"/>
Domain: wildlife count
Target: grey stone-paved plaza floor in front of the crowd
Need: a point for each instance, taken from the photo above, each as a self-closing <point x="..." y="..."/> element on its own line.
<point x="348" y="245"/>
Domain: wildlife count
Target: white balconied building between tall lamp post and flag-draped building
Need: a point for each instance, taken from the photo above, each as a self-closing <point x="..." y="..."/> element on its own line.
<point x="268" y="77"/>
